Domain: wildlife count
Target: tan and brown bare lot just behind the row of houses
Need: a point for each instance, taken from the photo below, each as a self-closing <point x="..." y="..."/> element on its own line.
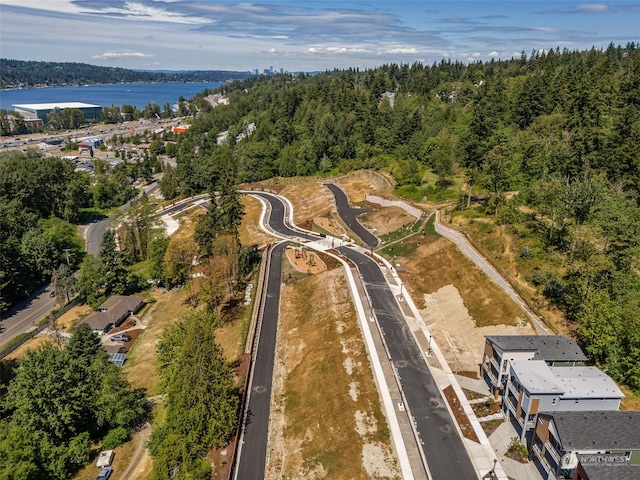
<point x="458" y="303"/>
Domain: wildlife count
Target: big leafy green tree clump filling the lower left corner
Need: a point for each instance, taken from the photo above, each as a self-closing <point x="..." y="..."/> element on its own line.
<point x="60" y="402"/>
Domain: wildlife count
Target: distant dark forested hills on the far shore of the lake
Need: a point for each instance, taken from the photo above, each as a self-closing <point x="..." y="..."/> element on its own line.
<point x="25" y="74"/>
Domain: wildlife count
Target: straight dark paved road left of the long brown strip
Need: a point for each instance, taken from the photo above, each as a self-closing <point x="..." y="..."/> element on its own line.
<point x="252" y="453"/>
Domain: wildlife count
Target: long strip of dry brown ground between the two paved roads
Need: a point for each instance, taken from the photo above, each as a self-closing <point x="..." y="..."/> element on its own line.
<point x="326" y="420"/>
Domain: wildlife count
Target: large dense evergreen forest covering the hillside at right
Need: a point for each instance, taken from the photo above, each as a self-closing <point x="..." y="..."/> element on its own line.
<point x="560" y="128"/>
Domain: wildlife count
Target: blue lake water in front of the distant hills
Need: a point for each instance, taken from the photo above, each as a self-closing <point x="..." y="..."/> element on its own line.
<point x="136" y="94"/>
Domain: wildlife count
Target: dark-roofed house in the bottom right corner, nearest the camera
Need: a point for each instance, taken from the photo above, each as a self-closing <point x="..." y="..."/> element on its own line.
<point x="587" y="445"/>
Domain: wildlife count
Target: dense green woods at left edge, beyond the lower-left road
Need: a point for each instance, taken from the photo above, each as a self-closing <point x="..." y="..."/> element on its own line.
<point x="42" y="199"/>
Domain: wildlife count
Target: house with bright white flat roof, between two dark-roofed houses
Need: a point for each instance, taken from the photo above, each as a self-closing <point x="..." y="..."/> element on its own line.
<point x="533" y="387"/>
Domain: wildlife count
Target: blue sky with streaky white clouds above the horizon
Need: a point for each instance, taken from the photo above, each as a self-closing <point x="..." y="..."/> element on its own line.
<point x="300" y="35"/>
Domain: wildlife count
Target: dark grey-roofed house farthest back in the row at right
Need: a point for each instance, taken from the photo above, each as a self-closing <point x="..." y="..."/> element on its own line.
<point x="554" y="350"/>
